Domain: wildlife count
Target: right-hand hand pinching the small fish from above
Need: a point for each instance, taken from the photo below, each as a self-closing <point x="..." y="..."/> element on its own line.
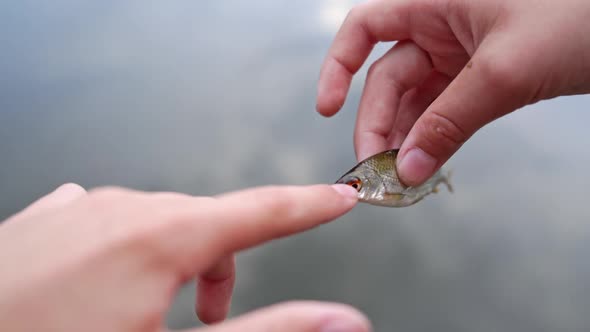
<point x="460" y="65"/>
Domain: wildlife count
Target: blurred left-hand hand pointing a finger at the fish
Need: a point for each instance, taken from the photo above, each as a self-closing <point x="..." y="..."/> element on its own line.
<point x="113" y="259"/>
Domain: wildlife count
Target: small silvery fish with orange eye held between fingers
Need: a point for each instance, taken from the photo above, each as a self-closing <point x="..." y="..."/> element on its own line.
<point x="377" y="182"/>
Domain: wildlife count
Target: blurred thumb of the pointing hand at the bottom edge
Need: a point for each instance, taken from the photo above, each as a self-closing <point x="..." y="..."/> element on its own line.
<point x="297" y="317"/>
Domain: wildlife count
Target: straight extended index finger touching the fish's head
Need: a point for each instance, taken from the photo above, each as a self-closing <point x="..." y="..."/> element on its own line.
<point x="250" y="217"/>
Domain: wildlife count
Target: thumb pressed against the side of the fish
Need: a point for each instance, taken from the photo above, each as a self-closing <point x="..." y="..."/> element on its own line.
<point x="494" y="83"/>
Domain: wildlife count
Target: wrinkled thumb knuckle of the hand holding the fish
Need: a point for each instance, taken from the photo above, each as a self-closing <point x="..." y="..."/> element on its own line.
<point x="441" y="133"/>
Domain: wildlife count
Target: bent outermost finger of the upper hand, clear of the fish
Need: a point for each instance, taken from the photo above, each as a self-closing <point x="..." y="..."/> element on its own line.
<point x="365" y="25"/>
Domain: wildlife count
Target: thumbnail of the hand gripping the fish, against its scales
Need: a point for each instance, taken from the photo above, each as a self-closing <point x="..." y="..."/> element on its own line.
<point x="416" y="166"/>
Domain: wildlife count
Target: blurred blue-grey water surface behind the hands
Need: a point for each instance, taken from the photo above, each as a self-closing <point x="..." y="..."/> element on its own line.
<point x="204" y="97"/>
